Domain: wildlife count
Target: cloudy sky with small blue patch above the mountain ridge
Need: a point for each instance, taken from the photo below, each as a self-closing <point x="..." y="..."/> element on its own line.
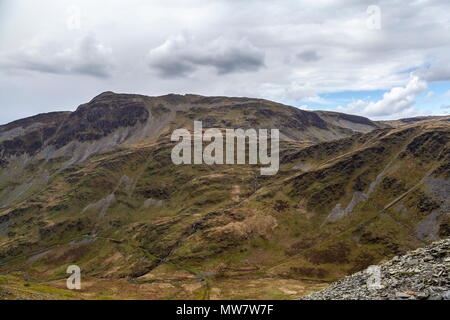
<point x="381" y="59"/>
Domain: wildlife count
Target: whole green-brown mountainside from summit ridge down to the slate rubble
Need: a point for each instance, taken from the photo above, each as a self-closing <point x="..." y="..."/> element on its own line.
<point x="97" y="188"/>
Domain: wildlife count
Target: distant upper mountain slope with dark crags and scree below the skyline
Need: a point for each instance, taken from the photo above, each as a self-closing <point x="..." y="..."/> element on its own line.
<point x="58" y="140"/>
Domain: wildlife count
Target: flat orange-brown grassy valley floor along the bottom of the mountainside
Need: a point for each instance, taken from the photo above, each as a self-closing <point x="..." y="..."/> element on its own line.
<point x="14" y="286"/>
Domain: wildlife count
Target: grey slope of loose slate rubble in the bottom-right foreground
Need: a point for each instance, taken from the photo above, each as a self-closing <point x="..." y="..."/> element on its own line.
<point x="421" y="274"/>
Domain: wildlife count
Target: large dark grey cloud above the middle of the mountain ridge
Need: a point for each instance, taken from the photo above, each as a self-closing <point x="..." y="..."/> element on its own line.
<point x="181" y="56"/>
